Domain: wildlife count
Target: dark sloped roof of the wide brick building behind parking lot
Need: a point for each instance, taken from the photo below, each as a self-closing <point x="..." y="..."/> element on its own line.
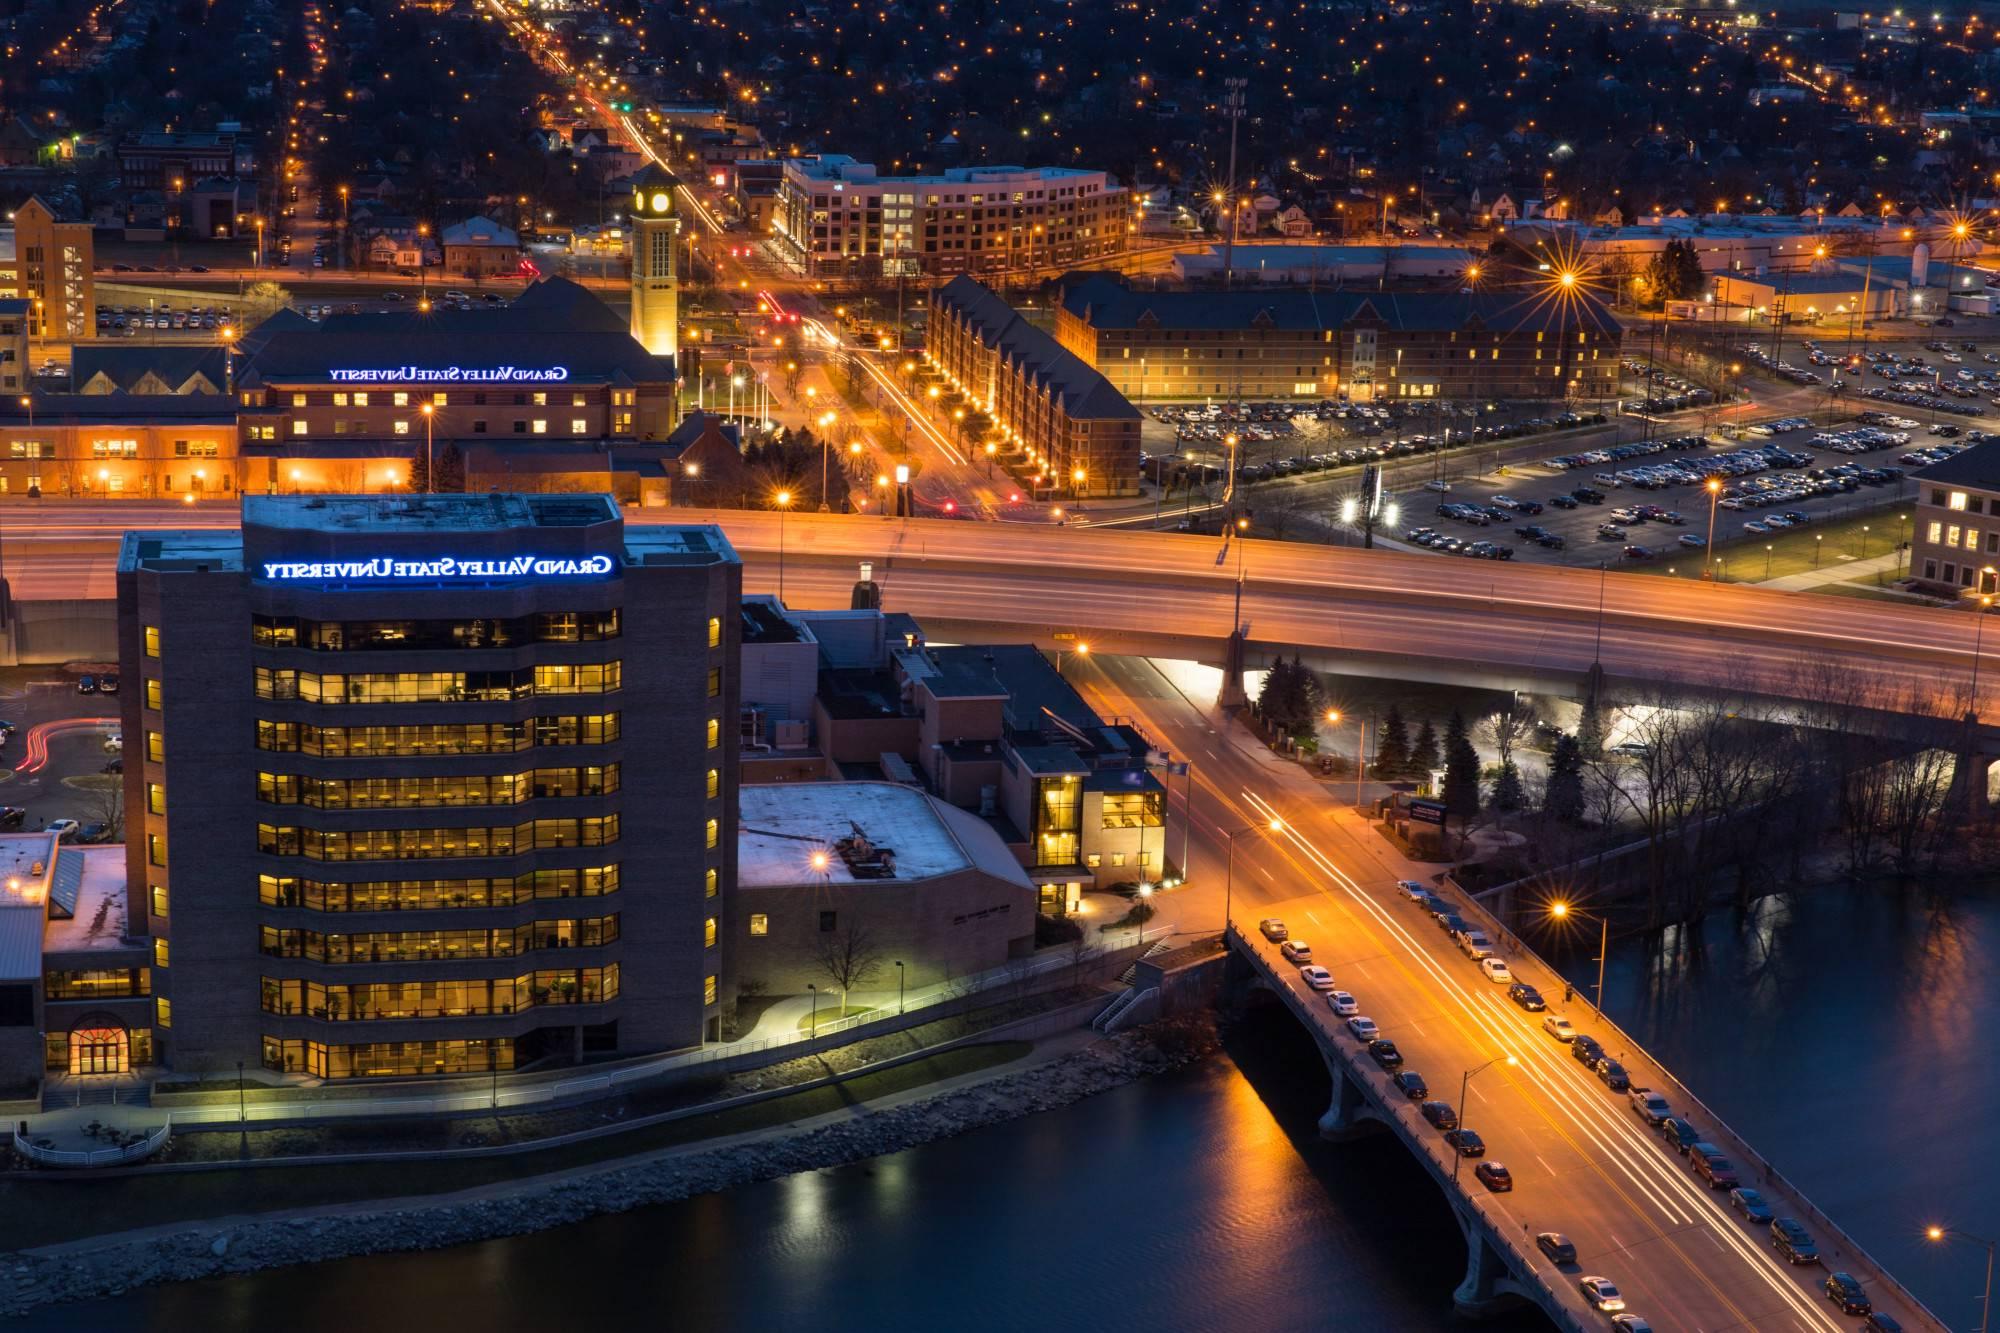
<point x="1107" y="303"/>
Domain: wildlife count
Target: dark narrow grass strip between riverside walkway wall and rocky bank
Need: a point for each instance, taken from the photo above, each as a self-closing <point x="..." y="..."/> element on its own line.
<point x="43" y="1212"/>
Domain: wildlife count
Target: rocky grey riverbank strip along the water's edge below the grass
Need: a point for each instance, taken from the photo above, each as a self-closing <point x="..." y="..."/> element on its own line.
<point x="119" y="1262"/>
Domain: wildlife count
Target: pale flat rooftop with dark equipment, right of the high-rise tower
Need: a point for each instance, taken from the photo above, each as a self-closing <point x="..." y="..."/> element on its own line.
<point x="783" y="828"/>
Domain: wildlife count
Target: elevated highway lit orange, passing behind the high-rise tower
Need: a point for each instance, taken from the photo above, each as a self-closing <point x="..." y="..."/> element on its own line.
<point x="1417" y="617"/>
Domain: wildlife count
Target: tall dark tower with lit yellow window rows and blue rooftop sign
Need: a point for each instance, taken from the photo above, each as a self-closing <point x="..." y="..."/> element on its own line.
<point x="431" y="784"/>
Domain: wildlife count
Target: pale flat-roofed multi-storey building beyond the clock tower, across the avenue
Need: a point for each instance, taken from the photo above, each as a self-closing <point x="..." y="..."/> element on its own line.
<point x="839" y="219"/>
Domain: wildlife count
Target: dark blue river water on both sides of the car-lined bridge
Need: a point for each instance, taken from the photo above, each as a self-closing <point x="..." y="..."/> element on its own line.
<point x="1843" y="1036"/>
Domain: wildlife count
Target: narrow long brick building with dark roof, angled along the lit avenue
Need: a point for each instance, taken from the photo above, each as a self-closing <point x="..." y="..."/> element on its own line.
<point x="1061" y="423"/>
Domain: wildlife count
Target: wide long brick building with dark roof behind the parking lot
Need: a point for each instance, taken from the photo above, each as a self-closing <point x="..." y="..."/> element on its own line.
<point x="1359" y="345"/>
